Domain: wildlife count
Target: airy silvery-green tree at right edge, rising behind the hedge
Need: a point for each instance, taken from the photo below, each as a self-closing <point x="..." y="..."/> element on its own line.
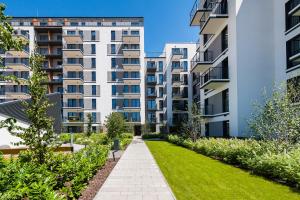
<point x="278" y="117"/>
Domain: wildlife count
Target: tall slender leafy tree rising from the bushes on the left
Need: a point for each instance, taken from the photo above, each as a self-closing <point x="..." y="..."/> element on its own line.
<point x="39" y="136"/>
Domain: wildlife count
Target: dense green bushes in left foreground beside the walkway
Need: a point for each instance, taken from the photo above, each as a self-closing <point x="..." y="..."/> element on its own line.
<point x="63" y="176"/>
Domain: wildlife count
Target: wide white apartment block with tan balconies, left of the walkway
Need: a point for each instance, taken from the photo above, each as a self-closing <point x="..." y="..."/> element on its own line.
<point x="96" y="63"/>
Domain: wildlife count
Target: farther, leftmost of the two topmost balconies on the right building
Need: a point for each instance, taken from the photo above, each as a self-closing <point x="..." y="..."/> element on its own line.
<point x="200" y="7"/>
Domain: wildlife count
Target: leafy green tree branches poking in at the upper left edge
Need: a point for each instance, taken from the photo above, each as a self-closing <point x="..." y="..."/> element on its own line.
<point x="8" y="40"/>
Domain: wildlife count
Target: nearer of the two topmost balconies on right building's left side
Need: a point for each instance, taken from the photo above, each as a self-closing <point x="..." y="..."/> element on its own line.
<point x="211" y="21"/>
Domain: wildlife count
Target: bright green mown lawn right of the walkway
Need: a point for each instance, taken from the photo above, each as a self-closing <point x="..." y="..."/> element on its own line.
<point x="194" y="176"/>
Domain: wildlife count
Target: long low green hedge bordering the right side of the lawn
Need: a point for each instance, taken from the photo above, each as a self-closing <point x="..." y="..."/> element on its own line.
<point x="259" y="157"/>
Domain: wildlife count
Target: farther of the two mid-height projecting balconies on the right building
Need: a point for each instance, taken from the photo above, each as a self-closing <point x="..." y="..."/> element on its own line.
<point x="202" y="61"/>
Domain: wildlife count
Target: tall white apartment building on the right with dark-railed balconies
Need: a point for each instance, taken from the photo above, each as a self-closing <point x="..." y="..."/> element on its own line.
<point x="244" y="46"/>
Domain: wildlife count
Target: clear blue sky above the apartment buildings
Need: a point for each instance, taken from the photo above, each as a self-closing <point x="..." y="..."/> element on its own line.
<point x="165" y="20"/>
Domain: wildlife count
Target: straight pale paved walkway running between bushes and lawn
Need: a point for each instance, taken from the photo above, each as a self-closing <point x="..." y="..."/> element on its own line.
<point x="135" y="177"/>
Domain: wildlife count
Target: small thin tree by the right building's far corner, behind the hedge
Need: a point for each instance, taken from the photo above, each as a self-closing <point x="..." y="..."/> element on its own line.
<point x="192" y="126"/>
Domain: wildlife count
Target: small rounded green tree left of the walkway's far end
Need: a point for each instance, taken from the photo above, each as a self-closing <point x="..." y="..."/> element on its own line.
<point x="115" y="125"/>
